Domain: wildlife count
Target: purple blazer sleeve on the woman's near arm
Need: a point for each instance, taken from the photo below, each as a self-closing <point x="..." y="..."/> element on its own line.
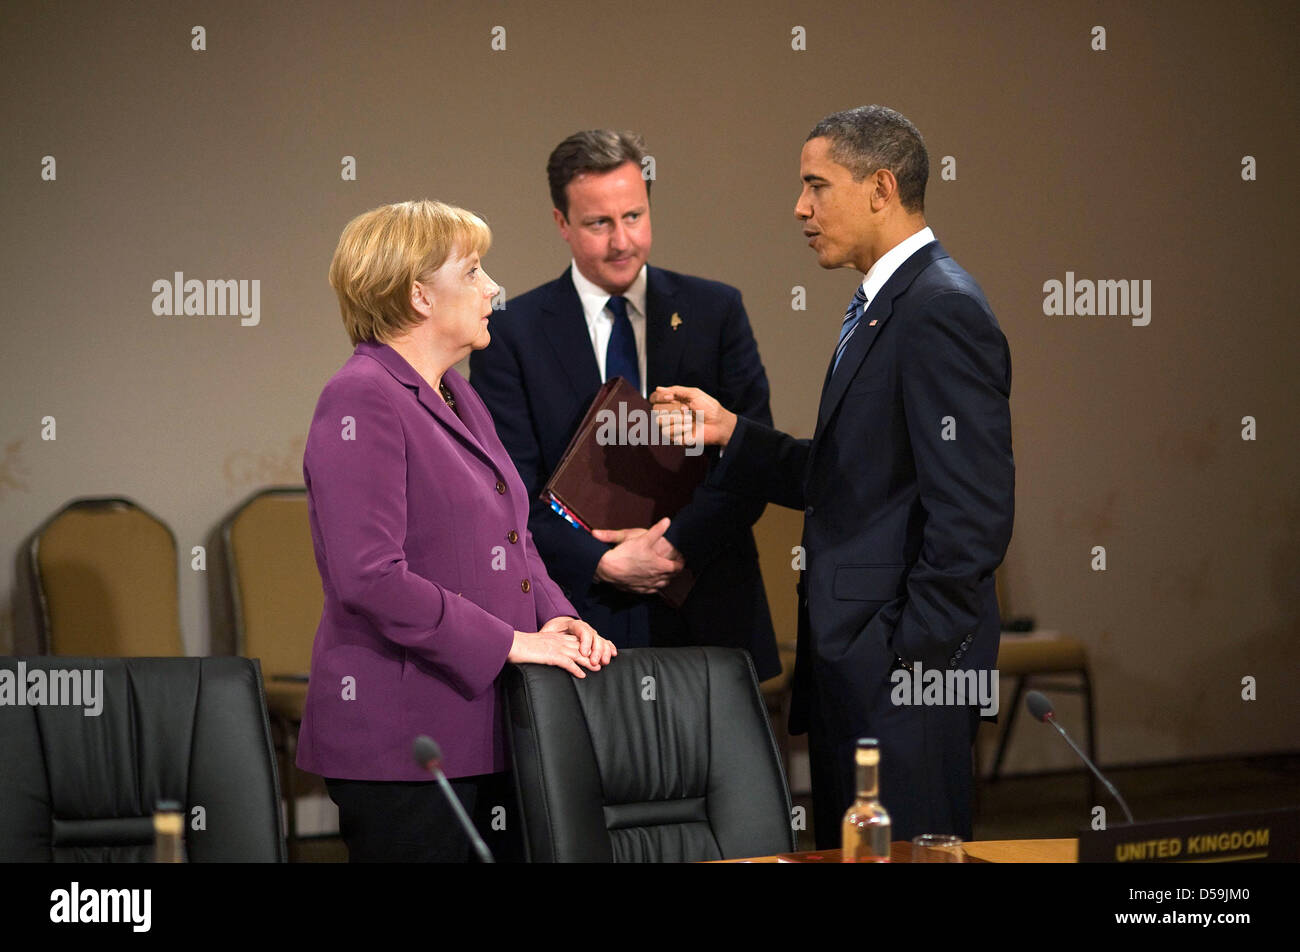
<point x="358" y="492"/>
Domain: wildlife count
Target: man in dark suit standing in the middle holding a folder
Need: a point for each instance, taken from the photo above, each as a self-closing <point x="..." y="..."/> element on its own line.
<point x="612" y="315"/>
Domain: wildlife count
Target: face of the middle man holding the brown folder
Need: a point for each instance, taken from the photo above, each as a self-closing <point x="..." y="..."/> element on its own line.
<point x="608" y="226"/>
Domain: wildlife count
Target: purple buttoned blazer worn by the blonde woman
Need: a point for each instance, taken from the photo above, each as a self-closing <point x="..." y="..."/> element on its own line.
<point x="421" y="527"/>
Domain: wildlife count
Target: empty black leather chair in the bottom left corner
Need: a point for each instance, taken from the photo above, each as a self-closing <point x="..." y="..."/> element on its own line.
<point x="77" y="789"/>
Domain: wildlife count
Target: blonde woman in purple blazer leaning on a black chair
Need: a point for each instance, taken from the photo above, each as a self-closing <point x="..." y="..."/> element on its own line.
<point x="421" y="529"/>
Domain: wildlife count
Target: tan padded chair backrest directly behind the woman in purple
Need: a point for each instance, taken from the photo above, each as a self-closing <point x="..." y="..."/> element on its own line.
<point x="275" y="586"/>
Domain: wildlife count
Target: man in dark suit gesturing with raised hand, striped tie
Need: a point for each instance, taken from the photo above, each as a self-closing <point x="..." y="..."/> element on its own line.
<point x="908" y="484"/>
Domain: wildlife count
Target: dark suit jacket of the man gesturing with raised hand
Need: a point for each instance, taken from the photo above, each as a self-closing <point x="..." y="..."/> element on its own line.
<point x="903" y="529"/>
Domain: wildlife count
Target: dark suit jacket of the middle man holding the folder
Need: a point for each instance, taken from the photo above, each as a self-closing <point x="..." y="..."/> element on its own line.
<point x="539" y="377"/>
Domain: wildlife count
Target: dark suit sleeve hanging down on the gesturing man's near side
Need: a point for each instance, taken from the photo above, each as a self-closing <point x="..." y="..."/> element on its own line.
<point x="956" y="380"/>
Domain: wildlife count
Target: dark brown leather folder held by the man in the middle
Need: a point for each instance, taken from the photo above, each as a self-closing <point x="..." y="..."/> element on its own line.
<point x="617" y="473"/>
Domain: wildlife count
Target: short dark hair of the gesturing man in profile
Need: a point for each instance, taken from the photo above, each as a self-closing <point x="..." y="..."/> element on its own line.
<point x="877" y="137"/>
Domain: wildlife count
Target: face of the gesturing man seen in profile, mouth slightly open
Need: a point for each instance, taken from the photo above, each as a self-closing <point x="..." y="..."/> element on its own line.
<point x="837" y="211"/>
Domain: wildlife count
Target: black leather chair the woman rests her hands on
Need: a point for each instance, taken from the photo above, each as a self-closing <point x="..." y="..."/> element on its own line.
<point x="666" y="756"/>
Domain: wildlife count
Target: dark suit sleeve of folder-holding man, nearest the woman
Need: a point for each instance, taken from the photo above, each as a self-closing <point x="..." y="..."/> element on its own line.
<point x="570" y="553"/>
